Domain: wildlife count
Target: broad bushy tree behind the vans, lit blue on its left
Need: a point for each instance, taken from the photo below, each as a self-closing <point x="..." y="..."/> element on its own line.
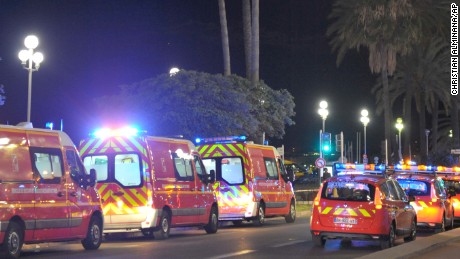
<point x="195" y="104"/>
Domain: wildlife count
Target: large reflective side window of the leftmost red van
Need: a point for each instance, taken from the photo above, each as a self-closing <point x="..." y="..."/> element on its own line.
<point x="47" y="164"/>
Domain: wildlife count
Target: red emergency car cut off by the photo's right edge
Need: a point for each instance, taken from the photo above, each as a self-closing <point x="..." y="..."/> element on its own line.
<point x="451" y="177"/>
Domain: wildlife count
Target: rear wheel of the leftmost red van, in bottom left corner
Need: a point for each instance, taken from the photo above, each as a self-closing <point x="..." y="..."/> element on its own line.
<point x="14" y="239"/>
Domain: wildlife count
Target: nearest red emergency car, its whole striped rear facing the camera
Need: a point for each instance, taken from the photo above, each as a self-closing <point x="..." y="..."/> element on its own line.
<point x="362" y="204"/>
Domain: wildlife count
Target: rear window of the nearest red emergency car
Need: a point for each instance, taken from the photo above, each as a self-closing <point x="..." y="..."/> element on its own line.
<point x="348" y="190"/>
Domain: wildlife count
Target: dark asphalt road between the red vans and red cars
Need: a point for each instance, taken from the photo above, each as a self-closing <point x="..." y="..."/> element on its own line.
<point x="276" y="239"/>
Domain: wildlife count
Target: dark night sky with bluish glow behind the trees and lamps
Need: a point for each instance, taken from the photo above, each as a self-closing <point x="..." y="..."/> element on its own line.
<point x="91" y="47"/>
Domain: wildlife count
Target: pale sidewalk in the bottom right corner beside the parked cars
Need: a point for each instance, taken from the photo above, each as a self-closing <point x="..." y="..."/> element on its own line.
<point x="418" y="247"/>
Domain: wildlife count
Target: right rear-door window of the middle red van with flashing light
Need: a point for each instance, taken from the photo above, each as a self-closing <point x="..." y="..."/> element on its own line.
<point x="128" y="170"/>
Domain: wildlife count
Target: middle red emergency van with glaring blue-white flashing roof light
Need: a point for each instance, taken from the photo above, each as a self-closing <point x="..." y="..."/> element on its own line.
<point x="150" y="183"/>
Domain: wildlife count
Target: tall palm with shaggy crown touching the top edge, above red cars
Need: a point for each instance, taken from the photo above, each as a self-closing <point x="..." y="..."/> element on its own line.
<point x="385" y="28"/>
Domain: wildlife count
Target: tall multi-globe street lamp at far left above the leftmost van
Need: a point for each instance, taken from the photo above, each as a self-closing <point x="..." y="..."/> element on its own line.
<point x="31" y="61"/>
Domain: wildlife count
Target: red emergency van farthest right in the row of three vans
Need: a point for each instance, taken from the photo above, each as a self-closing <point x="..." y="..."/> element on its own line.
<point x="251" y="181"/>
